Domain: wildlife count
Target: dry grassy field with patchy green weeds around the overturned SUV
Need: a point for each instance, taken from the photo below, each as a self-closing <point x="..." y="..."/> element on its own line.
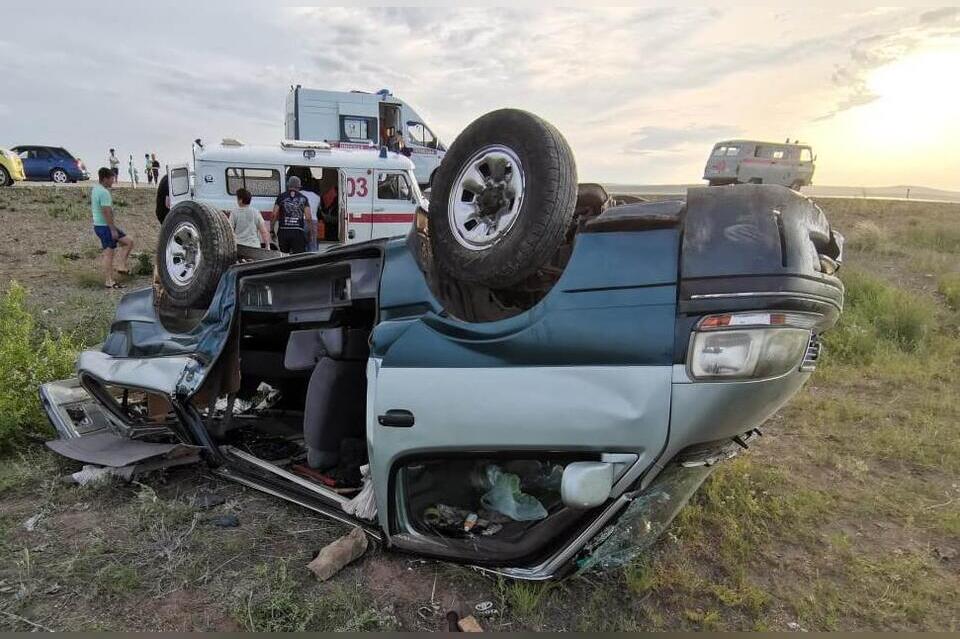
<point x="846" y="516"/>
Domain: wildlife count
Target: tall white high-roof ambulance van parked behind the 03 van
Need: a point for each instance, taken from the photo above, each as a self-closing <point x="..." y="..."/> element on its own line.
<point x="361" y="120"/>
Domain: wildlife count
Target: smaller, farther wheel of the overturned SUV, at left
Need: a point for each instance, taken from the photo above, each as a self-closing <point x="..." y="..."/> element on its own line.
<point x="195" y="249"/>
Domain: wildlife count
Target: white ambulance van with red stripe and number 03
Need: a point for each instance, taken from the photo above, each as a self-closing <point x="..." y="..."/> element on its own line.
<point x="374" y="192"/>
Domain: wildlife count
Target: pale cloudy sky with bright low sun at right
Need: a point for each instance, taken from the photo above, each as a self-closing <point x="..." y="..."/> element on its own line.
<point x="640" y="93"/>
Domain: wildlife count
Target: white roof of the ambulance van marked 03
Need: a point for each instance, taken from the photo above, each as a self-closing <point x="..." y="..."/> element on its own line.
<point x="353" y="158"/>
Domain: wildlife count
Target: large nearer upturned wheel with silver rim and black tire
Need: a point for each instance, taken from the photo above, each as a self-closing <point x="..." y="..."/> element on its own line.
<point x="502" y="199"/>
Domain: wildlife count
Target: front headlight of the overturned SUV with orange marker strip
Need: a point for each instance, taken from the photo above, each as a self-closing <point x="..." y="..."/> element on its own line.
<point x="752" y="345"/>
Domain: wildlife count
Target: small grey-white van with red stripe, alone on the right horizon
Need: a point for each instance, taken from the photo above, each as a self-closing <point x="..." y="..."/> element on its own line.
<point x="755" y="162"/>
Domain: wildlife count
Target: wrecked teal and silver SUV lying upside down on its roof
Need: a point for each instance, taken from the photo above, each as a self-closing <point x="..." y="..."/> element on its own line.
<point x="534" y="380"/>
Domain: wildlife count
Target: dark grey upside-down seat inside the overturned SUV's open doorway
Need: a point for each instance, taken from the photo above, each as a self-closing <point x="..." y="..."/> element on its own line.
<point x="335" y="406"/>
